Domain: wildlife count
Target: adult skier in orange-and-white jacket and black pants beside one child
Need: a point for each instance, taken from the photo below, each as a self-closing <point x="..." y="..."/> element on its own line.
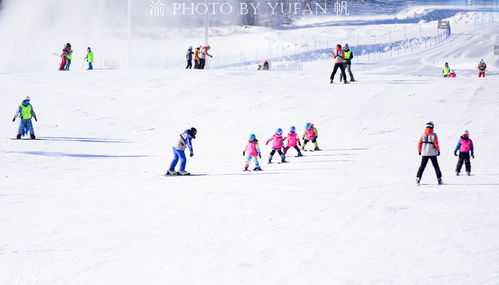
<point x="429" y="149"/>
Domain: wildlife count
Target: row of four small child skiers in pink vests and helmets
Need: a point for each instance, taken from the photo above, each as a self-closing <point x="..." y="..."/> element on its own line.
<point x="277" y="141"/>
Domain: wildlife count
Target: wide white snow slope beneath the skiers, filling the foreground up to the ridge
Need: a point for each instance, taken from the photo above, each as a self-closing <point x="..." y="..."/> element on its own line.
<point x="88" y="204"/>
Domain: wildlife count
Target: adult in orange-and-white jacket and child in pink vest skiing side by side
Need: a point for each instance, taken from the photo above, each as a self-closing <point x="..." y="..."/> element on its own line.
<point x="429" y="149"/>
